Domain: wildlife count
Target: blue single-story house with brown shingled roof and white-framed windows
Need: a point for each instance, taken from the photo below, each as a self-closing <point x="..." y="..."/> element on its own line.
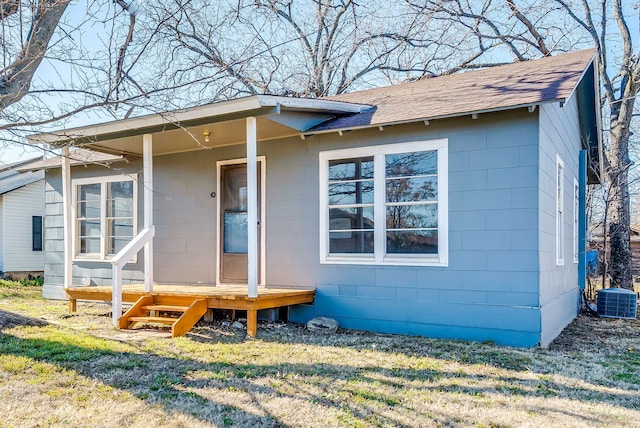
<point x="447" y="207"/>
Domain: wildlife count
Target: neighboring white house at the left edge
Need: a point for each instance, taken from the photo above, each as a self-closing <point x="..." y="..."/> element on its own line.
<point x="21" y="220"/>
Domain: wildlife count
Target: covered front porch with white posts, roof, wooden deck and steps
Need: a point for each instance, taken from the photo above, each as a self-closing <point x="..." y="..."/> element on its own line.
<point x="220" y="230"/>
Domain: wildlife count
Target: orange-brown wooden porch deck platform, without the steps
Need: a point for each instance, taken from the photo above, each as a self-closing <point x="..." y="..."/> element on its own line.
<point x="215" y="297"/>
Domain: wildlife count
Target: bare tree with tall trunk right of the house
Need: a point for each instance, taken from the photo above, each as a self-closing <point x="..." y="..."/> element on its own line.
<point x="527" y="29"/>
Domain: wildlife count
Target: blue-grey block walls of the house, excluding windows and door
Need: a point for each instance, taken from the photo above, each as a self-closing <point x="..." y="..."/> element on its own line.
<point x="501" y="283"/>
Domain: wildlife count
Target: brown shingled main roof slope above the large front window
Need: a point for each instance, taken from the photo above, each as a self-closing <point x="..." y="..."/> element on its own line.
<point x="503" y="87"/>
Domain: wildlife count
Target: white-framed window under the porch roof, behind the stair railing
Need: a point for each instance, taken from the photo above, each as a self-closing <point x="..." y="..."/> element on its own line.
<point x="105" y="216"/>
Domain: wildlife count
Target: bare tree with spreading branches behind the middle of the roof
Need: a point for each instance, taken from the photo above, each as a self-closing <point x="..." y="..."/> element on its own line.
<point x="298" y="47"/>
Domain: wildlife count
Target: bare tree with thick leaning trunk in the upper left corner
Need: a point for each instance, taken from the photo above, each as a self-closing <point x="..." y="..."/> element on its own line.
<point x="61" y="59"/>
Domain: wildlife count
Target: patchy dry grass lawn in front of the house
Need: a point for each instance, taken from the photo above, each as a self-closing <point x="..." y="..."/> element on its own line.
<point x="58" y="370"/>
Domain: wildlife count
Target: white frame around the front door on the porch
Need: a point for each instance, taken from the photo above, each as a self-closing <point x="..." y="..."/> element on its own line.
<point x="262" y="160"/>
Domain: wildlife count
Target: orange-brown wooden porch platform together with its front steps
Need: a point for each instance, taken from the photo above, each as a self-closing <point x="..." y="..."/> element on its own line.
<point x="192" y="301"/>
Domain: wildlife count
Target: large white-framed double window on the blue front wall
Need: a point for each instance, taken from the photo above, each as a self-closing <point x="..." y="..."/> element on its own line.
<point x="385" y="204"/>
